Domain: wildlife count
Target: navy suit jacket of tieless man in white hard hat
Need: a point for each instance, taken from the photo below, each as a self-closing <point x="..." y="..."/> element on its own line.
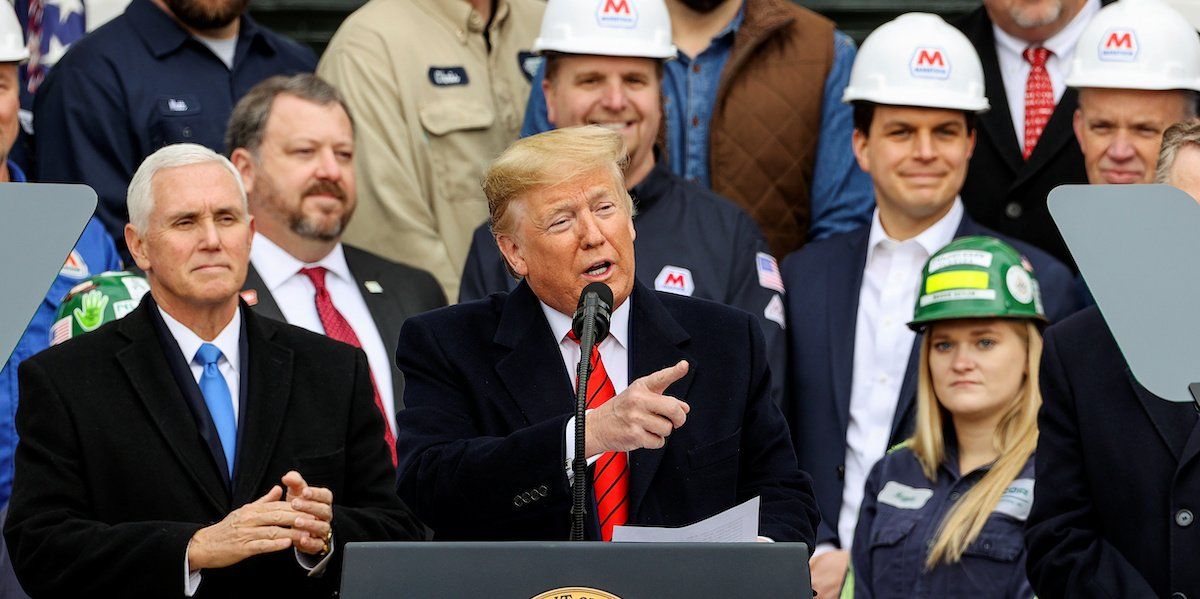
<point x="824" y="280"/>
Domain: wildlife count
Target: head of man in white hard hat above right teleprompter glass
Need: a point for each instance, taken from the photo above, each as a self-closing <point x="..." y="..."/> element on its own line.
<point x="1138" y="71"/>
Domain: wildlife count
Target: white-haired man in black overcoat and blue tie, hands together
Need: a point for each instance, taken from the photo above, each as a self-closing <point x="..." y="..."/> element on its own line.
<point x="194" y="448"/>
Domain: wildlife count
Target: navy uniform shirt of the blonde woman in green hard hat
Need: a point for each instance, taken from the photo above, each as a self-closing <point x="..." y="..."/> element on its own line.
<point x="901" y="518"/>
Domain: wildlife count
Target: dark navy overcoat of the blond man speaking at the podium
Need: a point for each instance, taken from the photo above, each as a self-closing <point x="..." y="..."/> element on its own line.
<point x="482" y="444"/>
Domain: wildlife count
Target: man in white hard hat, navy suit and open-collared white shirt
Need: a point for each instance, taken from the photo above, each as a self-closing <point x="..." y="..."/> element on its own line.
<point x="917" y="88"/>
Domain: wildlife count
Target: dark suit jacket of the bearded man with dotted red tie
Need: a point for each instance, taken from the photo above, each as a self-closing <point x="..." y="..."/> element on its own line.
<point x="407" y="291"/>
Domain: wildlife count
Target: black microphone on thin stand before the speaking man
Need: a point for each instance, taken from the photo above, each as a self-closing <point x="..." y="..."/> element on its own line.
<point x="591" y="326"/>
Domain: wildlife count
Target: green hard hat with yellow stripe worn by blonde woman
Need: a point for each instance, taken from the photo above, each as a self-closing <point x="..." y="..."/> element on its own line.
<point x="977" y="278"/>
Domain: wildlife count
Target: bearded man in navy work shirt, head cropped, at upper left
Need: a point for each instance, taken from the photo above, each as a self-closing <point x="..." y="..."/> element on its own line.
<point x="160" y="74"/>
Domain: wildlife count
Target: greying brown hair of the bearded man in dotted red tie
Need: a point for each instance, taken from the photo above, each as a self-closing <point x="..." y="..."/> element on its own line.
<point x="248" y="124"/>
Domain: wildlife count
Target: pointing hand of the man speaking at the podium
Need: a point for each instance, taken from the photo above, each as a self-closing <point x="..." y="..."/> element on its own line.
<point x="640" y="417"/>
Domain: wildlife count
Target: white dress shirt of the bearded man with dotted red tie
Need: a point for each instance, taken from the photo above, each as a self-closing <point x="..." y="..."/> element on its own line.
<point x="296" y="296"/>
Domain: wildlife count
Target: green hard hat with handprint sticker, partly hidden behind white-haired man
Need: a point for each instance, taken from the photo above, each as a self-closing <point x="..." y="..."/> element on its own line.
<point x="104" y="298"/>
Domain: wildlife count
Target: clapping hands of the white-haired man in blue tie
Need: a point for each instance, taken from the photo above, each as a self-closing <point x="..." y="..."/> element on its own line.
<point x="302" y="519"/>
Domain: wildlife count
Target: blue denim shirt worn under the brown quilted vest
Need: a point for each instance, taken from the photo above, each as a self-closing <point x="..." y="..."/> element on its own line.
<point x="843" y="196"/>
